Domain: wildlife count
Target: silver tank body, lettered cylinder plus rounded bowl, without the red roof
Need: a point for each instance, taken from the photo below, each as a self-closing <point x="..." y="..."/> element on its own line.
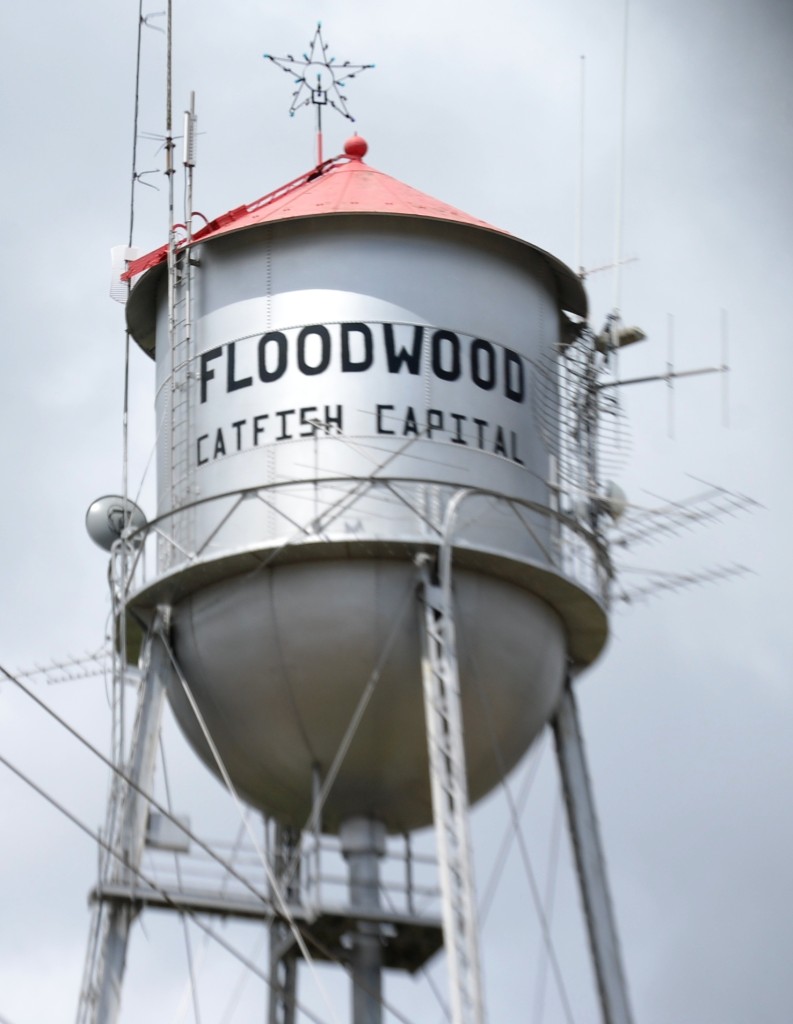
<point x="348" y="376"/>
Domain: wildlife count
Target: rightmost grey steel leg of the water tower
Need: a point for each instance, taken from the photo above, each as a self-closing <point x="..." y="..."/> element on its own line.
<point x="591" y="863"/>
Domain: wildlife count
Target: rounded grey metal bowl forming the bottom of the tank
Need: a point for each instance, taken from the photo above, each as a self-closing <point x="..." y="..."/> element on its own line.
<point x="279" y="661"/>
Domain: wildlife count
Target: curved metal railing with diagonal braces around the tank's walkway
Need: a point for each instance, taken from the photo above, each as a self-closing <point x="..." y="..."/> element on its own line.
<point x="558" y="540"/>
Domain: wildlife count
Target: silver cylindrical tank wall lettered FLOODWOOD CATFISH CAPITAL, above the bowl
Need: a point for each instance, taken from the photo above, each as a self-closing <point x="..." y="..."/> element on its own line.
<point x="393" y="349"/>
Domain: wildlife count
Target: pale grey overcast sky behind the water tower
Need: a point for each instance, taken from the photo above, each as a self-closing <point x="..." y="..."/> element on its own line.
<point x="689" y="715"/>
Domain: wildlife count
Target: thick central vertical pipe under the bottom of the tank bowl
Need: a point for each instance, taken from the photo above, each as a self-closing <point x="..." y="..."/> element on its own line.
<point x="363" y="844"/>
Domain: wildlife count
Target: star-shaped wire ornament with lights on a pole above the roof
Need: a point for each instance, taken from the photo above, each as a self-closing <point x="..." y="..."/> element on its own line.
<point x="319" y="80"/>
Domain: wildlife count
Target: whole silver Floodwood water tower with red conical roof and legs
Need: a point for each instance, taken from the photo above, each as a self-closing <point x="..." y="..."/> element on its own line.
<point x="355" y="589"/>
